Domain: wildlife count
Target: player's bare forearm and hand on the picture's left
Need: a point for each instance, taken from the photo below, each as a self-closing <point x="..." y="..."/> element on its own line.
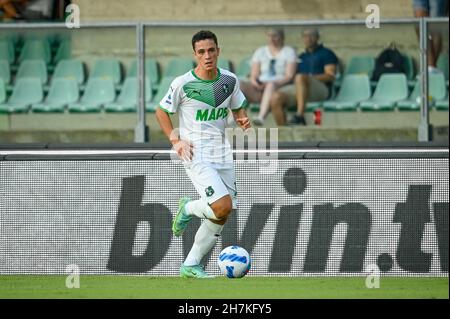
<point x="183" y="148"/>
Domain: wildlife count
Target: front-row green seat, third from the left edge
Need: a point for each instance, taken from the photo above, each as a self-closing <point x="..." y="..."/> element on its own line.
<point x="98" y="91"/>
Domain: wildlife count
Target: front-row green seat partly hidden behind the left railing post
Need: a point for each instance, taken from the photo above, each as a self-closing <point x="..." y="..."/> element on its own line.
<point x="128" y="98"/>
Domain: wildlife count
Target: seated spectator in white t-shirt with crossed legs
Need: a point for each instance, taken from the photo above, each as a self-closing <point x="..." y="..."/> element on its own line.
<point x="272" y="67"/>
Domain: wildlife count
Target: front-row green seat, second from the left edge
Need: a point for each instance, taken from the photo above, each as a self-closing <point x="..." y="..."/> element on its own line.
<point x="62" y="92"/>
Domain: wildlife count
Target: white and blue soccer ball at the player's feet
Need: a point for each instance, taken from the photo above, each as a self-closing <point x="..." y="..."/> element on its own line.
<point x="234" y="262"/>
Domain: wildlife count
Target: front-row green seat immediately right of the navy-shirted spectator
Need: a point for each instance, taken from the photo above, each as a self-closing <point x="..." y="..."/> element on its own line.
<point x="354" y="89"/>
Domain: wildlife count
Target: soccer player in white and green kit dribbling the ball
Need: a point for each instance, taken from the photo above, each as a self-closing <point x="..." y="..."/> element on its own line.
<point x="203" y="98"/>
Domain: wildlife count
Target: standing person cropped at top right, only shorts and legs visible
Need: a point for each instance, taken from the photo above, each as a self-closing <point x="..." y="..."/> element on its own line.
<point x="431" y="8"/>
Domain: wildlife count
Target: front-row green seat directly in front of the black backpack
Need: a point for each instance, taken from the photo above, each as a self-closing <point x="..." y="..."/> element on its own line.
<point x="391" y="88"/>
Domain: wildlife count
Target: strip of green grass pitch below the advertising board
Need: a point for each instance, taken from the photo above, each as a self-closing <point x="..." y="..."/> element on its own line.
<point x="93" y="287"/>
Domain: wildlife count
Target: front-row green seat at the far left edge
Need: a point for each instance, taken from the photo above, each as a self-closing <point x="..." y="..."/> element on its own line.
<point x="27" y="91"/>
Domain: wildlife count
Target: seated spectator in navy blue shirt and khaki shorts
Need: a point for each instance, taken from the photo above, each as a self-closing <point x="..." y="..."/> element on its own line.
<point x="315" y="75"/>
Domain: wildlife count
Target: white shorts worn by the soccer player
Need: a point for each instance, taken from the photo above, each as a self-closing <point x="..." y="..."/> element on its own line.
<point x="213" y="181"/>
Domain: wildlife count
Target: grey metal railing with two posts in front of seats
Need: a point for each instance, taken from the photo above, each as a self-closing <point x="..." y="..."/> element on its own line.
<point x="142" y="131"/>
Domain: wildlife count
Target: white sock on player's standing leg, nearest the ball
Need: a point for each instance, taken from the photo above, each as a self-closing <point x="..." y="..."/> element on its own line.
<point x="205" y="239"/>
